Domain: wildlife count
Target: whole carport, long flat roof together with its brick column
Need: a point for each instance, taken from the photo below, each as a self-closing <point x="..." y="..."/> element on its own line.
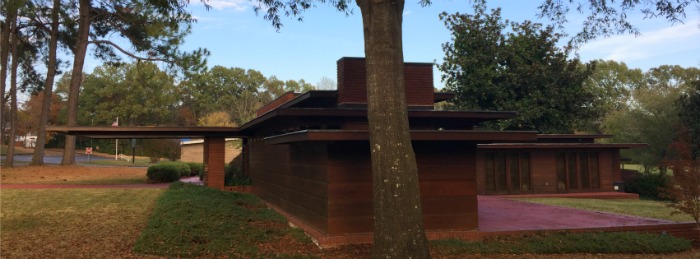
<point x="214" y="140"/>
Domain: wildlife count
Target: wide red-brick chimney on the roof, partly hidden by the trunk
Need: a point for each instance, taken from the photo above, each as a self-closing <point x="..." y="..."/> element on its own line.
<point x="352" y="86"/>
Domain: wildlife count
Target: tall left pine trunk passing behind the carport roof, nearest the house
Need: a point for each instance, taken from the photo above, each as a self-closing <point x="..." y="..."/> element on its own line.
<point x="76" y="79"/>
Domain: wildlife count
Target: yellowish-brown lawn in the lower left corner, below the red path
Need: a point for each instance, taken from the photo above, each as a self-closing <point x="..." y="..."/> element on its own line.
<point x="73" y="223"/>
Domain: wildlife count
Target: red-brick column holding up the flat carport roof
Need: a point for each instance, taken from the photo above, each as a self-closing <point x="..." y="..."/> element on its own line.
<point x="214" y="156"/>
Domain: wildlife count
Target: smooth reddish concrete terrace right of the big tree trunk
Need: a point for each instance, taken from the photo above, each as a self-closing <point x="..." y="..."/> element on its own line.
<point x="498" y="214"/>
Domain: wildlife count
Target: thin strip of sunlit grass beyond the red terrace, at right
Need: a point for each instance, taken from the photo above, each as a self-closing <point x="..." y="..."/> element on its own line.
<point x="639" y="208"/>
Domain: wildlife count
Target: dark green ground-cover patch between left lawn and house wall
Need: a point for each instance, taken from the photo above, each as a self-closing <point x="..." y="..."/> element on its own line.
<point x="195" y="221"/>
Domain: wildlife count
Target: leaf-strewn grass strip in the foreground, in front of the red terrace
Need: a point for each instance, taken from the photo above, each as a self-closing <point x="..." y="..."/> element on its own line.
<point x="566" y="243"/>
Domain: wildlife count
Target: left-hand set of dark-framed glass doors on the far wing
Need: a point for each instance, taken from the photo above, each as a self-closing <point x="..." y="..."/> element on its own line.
<point x="507" y="172"/>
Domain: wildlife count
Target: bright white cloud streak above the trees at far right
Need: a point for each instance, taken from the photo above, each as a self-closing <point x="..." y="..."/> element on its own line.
<point x="672" y="40"/>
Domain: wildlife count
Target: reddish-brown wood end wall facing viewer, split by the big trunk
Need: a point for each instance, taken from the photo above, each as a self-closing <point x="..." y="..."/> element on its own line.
<point x="448" y="187"/>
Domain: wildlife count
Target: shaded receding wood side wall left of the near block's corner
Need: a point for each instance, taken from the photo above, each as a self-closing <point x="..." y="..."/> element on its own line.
<point x="292" y="177"/>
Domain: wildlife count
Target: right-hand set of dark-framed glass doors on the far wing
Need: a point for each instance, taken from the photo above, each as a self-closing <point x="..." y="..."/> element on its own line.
<point x="577" y="171"/>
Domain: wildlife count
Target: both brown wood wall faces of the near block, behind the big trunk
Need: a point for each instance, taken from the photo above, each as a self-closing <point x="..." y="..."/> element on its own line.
<point x="328" y="185"/>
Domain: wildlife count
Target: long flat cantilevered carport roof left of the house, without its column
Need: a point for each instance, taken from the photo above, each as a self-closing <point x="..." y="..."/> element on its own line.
<point x="148" y="132"/>
